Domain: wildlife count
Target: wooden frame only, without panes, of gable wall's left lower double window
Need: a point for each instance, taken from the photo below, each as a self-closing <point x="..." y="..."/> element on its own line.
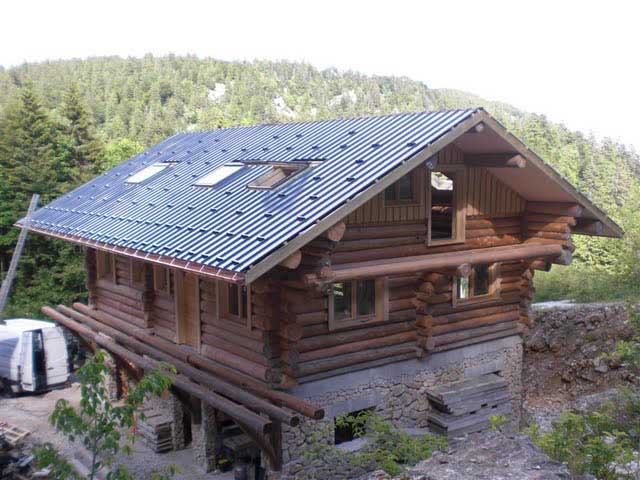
<point x="380" y="307"/>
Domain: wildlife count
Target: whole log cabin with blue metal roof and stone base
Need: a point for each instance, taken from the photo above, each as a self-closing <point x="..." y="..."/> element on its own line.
<point x="296" y="272"/>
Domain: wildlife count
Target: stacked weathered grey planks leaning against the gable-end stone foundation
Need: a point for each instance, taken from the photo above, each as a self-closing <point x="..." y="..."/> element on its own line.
<point x="467" y="406"/>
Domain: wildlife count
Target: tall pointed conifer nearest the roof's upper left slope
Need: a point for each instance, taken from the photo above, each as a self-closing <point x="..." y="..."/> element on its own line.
<point x="86" y="148"/>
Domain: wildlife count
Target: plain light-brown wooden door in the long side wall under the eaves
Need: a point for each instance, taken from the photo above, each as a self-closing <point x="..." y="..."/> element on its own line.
<point x="188" y="309"/>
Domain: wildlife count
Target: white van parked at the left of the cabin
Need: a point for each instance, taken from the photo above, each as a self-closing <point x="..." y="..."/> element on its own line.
<point x="33" y="355"/>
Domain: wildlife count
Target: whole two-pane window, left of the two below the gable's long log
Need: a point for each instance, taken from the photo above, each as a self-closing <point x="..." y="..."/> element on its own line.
<point x="353" y="302"/>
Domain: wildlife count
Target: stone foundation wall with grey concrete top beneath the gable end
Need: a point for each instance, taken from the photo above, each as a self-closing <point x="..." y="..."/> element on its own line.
<point x="397" y="393"/>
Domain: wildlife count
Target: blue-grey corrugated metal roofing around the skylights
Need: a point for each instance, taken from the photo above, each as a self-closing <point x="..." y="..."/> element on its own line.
<point x="230" y="226"/>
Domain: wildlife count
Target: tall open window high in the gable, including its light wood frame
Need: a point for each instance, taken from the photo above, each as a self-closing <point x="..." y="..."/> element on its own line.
<point x="446" y="207"/>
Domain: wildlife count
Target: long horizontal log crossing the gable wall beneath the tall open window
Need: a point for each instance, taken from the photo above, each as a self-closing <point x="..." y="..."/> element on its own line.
<point x="440" y="261"/>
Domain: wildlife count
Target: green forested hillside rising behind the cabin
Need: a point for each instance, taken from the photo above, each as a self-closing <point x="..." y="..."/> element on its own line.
<point x="65" y="121"/>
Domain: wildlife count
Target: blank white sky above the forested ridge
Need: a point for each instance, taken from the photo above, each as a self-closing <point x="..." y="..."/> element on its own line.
<point x="578" y="62"/>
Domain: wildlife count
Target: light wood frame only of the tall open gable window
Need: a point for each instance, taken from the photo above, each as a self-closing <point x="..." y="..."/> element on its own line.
<point x="459" y="205"/>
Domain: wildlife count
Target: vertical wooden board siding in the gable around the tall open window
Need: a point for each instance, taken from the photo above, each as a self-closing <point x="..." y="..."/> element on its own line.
<point x="484" y="195"/>
